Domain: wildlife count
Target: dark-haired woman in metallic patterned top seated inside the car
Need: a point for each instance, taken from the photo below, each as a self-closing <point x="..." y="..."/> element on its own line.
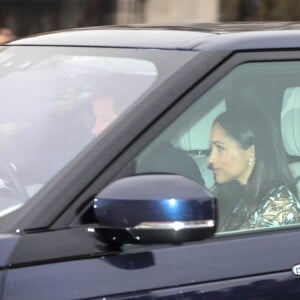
<point x="254" y="186"/>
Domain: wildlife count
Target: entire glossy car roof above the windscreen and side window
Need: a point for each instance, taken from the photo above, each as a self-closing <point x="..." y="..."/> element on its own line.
<point x="219" y="36"/>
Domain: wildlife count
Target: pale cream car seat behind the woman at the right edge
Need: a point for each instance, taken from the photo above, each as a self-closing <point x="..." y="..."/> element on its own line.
<point x="290" y="129"/>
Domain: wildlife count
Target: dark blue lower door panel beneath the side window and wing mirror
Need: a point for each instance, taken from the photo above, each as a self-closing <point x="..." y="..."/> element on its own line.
<point x="196" y="267"/>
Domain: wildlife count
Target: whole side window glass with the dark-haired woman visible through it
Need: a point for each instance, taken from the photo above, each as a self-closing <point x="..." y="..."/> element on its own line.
<point x="240" y="141"/>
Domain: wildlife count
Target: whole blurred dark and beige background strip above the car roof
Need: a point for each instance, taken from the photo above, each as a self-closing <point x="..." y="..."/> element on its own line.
<point x="25" y="17"/>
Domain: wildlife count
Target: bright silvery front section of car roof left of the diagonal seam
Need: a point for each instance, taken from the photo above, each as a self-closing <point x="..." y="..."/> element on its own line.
<point x="177" y="40"/>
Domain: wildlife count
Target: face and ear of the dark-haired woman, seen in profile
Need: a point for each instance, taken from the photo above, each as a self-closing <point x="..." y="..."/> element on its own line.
<point x="228" y="160"/>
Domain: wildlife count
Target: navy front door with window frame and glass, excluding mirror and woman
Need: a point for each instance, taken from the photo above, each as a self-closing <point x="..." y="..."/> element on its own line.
<point x="68" y="261"/>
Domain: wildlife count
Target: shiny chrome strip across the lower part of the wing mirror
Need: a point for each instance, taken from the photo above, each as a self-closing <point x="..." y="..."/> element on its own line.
<point x="176" y="225"/>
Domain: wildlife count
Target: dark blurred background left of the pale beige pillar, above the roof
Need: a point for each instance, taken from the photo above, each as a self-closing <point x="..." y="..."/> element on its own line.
<point x="27" y="17"/>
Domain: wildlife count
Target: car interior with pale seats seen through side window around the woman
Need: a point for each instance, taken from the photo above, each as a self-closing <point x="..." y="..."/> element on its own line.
<point x="272" y="88"/>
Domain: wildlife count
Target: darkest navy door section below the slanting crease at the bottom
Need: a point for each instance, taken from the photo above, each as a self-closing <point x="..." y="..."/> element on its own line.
<point x="247" y="288"/>
